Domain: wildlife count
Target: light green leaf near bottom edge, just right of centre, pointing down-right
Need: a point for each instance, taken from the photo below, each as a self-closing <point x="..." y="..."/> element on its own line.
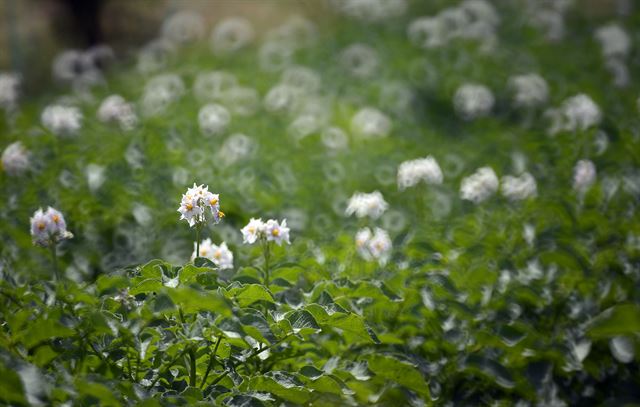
<point x="400" y="372"/>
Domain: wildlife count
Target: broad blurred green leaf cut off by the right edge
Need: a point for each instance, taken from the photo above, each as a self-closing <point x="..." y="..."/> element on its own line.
<point x="622" y="319"/>
